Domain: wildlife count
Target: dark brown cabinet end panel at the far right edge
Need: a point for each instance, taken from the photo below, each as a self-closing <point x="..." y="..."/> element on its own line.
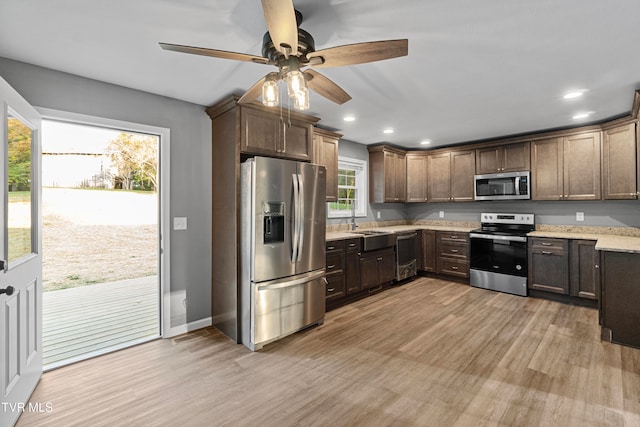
<point x="620" y="304"/>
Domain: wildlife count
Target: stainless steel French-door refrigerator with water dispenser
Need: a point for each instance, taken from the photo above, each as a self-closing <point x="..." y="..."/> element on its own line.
<point x="283" y="213"/>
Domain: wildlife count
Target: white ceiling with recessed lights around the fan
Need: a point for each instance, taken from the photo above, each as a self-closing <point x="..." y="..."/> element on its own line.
<point x="475" y="70"/>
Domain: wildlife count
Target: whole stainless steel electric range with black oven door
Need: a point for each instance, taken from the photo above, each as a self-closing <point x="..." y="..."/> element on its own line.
<point x="499" y="252"/>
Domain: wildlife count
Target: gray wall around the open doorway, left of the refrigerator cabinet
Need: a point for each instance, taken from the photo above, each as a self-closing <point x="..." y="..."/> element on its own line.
<point x="190" y="187"/>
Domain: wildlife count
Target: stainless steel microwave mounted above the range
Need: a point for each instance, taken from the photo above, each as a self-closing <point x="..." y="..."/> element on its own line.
<point x="503" y="186"/>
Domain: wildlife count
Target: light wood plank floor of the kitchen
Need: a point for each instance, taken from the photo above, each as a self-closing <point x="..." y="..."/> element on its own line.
<point x="428" y="353"/>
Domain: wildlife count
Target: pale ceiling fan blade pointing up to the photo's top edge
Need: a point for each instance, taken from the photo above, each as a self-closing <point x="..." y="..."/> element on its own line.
<point x="281" y="23"/>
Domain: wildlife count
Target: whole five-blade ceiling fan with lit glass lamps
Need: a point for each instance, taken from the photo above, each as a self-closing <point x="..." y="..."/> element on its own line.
<point x="291" y="49"/>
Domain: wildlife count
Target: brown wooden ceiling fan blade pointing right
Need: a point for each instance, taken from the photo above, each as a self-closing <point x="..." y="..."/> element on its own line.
<point x="358" y="53"/>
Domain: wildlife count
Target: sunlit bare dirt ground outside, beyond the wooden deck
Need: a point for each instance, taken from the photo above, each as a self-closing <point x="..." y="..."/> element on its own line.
<point x="97" y="236"/>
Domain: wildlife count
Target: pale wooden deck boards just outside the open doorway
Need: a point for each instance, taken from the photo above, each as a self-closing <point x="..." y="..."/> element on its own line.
<point x="83" y="322"/>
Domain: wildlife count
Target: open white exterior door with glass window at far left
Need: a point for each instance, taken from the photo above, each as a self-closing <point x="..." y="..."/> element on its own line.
<point x="20" y="254"/>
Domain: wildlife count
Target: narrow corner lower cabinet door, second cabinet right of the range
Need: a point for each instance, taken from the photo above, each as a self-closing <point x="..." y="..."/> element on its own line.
<point x="585" y="278"/>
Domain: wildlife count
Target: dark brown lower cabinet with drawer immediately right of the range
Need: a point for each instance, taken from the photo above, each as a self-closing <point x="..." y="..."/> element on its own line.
<point x="549" y="265"/>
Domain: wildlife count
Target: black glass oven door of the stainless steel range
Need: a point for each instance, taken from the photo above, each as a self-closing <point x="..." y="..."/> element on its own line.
<point x="499" y="254"/>
